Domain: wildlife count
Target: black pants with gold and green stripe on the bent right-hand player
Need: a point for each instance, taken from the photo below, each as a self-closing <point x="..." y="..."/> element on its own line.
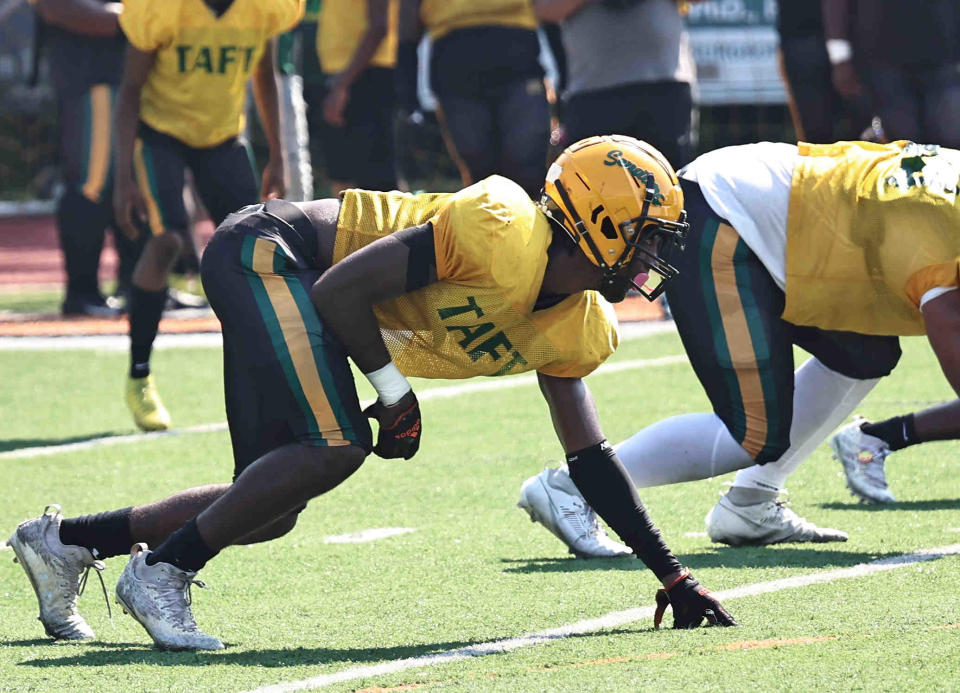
<point x="727" y="309"/>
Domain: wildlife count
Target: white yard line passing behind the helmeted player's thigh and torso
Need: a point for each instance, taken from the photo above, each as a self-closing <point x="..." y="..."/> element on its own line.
<point x="425" y="396"/>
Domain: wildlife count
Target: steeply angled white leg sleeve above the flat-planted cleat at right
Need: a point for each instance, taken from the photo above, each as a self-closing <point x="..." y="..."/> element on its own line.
<point x="822" y="400"/>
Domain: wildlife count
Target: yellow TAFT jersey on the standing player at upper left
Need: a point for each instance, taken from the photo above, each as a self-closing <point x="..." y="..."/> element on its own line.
<point x="197" y="86"/>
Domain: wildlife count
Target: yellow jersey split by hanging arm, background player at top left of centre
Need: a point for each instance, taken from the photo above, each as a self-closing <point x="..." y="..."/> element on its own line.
<point x="342" y="25"/>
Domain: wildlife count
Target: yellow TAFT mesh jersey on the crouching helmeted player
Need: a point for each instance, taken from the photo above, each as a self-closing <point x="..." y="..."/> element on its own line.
<point x="478" y="318"/>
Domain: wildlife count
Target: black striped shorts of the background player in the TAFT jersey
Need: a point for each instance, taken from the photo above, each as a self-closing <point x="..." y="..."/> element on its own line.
<point x="223" y="175"/>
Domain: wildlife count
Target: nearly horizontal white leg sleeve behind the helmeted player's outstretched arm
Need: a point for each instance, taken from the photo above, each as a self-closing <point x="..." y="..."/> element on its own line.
<point x="681" y="448"/>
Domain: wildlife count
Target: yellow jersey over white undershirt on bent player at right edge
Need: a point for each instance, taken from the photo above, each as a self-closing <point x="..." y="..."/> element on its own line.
<point x="871" y="228"/>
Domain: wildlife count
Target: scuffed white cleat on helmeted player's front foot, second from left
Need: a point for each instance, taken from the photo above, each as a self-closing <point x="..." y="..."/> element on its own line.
<point x="158" y="597"/>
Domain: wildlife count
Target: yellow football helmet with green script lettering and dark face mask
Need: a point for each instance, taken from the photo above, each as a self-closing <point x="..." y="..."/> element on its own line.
<point x="617" y="196"/>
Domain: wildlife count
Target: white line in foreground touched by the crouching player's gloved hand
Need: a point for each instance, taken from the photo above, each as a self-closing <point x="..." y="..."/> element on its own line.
<point x="611" y="620"/>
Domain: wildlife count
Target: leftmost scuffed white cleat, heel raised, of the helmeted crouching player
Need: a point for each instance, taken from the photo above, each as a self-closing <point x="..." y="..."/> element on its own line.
<point x="58" y="573"/>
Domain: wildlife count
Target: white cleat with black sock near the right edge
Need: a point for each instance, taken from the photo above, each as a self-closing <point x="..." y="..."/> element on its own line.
<point x="863" y="457"/>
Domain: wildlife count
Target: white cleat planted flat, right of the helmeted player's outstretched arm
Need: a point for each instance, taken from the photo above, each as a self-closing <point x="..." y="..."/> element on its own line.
<point x="769" y="522"/>
